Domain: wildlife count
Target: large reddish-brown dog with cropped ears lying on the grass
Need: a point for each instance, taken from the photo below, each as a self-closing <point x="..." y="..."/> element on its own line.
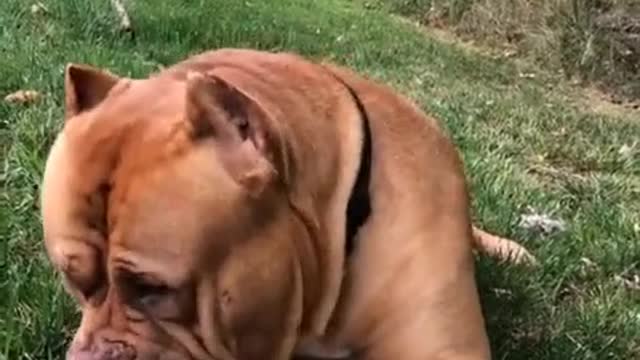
<point x="252" y="205"/>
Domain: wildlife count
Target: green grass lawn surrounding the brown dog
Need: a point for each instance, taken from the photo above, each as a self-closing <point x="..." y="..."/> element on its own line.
<point x="523" y="145"/>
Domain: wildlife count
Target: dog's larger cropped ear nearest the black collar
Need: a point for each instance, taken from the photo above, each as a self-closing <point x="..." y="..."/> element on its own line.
<point x="217" y="109"/>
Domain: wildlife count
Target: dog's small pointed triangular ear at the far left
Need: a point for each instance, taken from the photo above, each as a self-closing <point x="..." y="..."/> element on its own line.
<point x="85" y="87"/>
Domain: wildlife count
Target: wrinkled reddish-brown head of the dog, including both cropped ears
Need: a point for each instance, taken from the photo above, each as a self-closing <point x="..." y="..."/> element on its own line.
<point x="165" y="214"/>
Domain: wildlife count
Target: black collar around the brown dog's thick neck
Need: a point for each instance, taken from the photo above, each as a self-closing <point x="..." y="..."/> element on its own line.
<point x="359" y="205"/>
